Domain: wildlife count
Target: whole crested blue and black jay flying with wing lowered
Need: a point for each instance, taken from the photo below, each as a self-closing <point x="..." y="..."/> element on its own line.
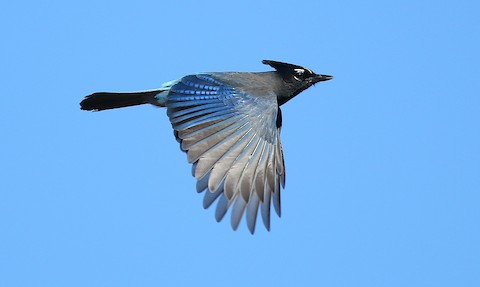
<point x="228" y="124"/>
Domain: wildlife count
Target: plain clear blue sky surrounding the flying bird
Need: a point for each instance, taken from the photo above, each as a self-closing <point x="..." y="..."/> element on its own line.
<point x="382" y="162"/>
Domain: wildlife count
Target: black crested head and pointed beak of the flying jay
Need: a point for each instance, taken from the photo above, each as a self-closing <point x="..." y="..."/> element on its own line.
<point x="296" y="78"/>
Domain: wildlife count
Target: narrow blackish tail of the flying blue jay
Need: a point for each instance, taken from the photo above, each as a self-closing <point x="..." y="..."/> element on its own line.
<point x="104" y="100"/>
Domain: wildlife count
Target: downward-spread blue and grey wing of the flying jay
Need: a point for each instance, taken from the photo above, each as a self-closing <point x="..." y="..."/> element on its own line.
<point x="233" y="141"/>
